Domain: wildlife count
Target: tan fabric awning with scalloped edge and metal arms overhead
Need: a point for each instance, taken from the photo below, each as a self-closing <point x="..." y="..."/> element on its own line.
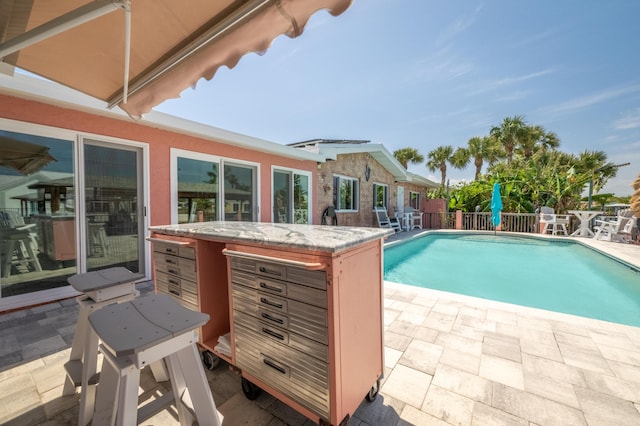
<point x="166" y="45"/>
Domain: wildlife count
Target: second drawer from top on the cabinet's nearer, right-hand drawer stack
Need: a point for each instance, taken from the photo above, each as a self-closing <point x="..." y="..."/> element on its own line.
<point x="302" y="293"/>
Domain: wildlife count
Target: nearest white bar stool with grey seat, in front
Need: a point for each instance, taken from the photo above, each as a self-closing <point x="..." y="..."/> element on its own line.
<point x="138" y="333"/>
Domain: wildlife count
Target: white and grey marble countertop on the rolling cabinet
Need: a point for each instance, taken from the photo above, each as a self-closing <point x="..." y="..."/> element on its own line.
<point x="307" y="237"/>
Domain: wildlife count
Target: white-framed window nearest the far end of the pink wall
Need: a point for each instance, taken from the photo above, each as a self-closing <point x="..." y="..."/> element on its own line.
<point x="290" y="197"/>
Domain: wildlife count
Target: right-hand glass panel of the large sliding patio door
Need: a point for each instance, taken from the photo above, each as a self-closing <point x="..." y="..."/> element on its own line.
<point x="111" y="203"/>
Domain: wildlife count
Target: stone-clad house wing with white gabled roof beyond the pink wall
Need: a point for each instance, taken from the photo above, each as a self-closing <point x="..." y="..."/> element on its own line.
<point x="359" y="176"/>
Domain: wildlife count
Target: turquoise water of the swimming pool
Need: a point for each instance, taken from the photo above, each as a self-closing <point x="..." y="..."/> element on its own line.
<point x="557" y="276"/>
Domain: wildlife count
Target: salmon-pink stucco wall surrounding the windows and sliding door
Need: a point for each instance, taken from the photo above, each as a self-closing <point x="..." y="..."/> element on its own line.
<point x="160" y="141"/>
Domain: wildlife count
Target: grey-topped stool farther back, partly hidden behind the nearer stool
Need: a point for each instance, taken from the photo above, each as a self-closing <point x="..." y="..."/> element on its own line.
<point x="100" y="288"/>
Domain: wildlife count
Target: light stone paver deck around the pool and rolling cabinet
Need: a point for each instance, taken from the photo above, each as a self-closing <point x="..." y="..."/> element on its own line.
<point x="449" y="359"/>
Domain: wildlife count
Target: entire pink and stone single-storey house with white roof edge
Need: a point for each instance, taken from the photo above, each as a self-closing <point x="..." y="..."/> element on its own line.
<point x="102" y="179"/>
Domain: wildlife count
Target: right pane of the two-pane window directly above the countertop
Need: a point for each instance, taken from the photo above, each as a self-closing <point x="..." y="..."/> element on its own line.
<point x="239" y="193"/>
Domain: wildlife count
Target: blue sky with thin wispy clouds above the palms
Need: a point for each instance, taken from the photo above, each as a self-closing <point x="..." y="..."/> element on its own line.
<point x="421" y="74"/>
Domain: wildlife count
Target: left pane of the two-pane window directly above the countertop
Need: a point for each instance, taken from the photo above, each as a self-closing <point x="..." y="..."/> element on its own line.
<point x="197" y="190"/>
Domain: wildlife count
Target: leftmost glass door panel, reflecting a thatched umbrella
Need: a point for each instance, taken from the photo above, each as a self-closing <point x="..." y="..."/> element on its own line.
<point x="37" y="214"/>
